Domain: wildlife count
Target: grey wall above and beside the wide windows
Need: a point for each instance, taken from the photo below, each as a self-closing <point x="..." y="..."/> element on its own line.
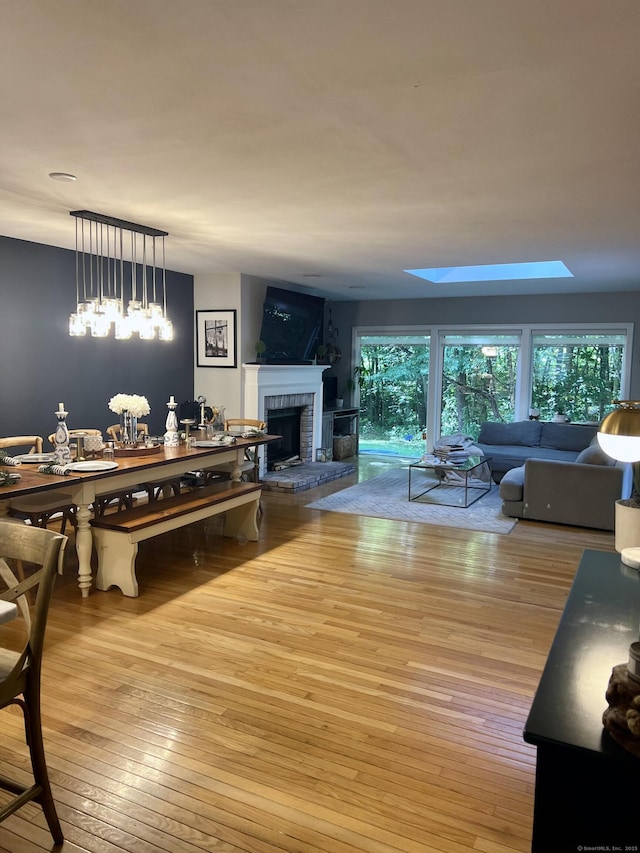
<point x="491" y="310"/>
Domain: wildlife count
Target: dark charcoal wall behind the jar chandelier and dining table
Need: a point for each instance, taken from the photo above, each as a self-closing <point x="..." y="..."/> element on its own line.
<point x="41" y="366"/>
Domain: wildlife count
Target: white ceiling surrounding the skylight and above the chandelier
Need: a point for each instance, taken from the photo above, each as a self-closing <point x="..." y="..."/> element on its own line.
<point x="343" y="139"/>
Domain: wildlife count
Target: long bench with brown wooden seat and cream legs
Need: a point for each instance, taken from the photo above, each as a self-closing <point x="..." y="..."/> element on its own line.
<point x="117" y="534"/>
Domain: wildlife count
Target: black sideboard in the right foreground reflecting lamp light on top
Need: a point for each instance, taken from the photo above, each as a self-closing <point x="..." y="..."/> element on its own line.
<point x="587" y="793"/>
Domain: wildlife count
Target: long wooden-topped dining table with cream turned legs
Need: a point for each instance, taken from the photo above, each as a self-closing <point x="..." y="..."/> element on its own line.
<point x="86" y="482"/>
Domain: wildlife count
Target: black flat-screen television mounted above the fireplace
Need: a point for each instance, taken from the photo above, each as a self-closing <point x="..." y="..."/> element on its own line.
<point x="292" y="325"/>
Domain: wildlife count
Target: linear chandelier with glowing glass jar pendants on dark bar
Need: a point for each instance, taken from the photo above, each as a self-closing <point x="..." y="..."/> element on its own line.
<point x="119" y="284"/>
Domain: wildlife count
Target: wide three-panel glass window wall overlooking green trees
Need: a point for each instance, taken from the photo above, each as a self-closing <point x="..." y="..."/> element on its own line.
<point x="451" y="379"/>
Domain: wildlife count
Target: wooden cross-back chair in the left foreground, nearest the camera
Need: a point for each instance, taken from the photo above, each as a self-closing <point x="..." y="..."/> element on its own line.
<point x="41" y="552"/>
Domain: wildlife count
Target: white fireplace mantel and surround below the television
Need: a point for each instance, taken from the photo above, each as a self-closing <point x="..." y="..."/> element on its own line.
<point x="270" y="380"/>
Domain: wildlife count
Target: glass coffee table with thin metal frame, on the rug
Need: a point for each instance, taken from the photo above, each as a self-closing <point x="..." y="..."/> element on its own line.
<point x="465" y="482"/>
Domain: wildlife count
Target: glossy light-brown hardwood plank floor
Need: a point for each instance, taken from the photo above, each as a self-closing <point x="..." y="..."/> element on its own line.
<point x="345" y="684"/>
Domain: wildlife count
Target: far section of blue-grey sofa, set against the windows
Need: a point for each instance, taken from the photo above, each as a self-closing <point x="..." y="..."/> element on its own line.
<point x="510" y="445"/>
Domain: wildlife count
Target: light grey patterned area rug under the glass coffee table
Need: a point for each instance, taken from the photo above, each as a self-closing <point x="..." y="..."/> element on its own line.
<point x="386" y="497"/>
